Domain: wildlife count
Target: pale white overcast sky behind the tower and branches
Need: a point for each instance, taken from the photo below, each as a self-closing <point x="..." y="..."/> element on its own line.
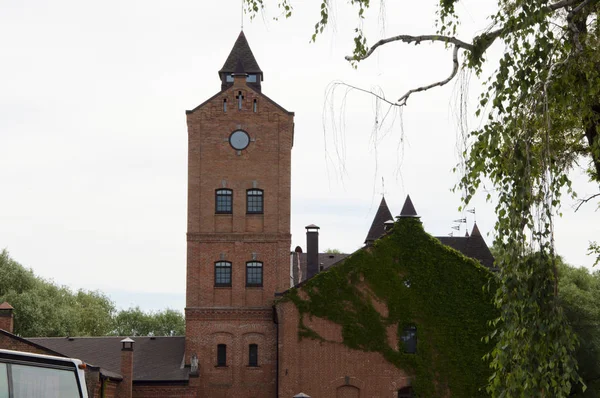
<point x="93" y="140"/>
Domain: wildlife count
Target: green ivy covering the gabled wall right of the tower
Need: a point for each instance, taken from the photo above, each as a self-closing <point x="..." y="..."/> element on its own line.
<point x="422" y="283"/>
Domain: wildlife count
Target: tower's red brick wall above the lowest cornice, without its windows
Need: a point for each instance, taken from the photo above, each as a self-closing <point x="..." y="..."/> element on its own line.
<point x="213" y="163"/>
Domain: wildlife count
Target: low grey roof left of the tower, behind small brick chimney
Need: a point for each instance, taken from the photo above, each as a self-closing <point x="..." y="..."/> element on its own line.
<point x="154" y="358"/>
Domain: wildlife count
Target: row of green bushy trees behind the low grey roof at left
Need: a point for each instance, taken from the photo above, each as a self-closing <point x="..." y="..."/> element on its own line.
<point x="44" y="309"/>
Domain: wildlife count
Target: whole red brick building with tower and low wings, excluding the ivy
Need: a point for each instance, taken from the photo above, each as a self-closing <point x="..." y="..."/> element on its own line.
<point x="240" y="340"/>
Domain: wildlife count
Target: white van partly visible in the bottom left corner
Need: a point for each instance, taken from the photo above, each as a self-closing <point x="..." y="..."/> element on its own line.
<point x="26" y="375"/>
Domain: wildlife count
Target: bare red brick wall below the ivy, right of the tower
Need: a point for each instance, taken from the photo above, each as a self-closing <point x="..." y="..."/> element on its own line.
<point x="330" y="369"/>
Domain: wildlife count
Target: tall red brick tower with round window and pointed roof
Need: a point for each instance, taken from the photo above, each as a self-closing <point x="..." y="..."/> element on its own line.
<point x="238" y="240"/>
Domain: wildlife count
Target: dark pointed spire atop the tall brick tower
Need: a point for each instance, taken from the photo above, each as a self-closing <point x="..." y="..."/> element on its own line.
<point x="241" y="59"/>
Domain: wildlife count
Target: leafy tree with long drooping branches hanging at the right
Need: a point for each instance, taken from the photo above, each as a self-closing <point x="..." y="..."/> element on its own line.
<point x="541" y="115"/>
